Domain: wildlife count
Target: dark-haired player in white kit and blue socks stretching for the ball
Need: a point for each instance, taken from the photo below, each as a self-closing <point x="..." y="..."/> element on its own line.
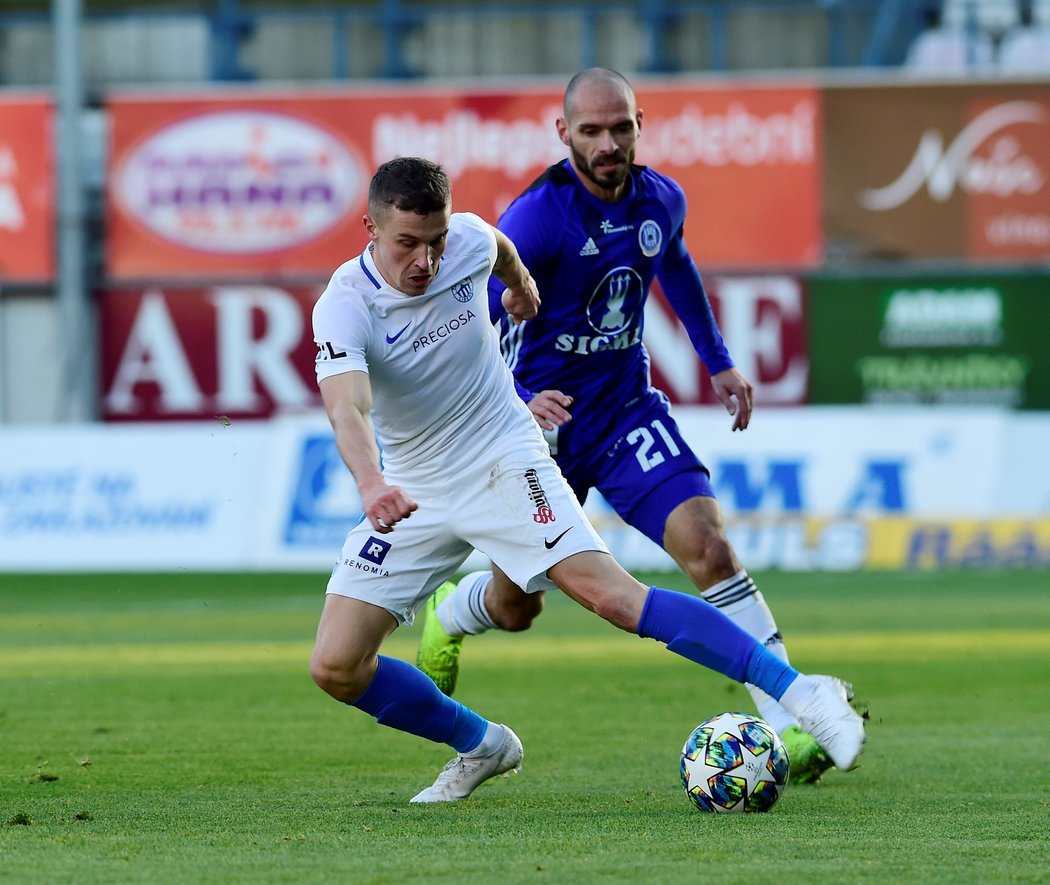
<point x="408" y="356"/>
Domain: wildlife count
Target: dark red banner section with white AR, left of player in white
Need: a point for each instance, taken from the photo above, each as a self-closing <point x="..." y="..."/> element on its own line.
<point x="224" y="352"/>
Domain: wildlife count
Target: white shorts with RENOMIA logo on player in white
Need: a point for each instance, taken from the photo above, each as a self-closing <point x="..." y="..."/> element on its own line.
<point x="520" y="513"/>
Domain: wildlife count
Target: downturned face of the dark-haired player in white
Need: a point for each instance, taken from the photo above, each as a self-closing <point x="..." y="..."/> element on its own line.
<point x="408" y="246"/>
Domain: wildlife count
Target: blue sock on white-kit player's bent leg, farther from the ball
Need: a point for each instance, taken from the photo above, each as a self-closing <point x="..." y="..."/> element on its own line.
<point x="406" y="699"/>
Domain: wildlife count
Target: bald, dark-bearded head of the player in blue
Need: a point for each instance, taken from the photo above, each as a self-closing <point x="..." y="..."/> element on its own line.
<point x="602" y="132"/>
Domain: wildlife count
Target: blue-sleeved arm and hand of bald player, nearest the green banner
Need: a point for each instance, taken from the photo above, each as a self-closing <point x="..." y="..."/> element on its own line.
<point x="684" y="288"/>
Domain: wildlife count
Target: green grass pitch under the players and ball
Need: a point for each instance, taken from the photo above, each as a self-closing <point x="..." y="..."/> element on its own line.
<point x="164" y="729"/>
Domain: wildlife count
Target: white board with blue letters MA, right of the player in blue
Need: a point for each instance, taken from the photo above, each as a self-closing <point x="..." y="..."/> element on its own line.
<point x="830" y="461"/>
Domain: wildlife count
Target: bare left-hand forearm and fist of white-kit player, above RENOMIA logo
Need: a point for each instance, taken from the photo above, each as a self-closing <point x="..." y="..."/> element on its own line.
<point x="348" y="402"/>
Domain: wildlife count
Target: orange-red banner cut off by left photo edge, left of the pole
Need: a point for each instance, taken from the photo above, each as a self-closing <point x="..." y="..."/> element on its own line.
<point x="27" y="192"/>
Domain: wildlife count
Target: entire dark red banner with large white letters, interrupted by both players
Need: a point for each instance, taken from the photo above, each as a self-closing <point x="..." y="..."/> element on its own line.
<point x="238" y="351"/>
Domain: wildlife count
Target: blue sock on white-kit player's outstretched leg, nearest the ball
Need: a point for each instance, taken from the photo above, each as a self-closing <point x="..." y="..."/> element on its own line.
<point x="699" y="631"/>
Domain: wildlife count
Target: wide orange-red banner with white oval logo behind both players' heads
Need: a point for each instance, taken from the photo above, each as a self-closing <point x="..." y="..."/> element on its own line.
<point x="253" y="184"/>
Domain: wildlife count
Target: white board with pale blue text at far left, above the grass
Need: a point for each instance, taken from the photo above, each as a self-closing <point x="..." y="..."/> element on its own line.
<point x="142" y="498"/>
